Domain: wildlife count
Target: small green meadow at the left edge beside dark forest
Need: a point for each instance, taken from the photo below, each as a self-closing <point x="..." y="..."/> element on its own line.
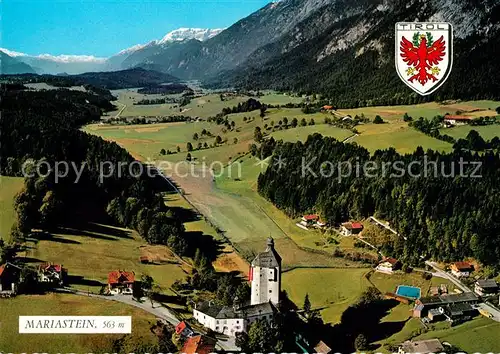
<point x="9" y="186"/>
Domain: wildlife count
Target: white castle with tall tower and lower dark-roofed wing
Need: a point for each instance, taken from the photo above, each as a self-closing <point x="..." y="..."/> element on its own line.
<point x="265" y="278"/>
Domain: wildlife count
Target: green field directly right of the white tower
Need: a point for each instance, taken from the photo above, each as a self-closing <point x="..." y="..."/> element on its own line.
<point x="331" y="290"/>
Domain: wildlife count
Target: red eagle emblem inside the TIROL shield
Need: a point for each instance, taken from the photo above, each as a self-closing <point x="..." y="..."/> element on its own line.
<point x="422" y="54"/>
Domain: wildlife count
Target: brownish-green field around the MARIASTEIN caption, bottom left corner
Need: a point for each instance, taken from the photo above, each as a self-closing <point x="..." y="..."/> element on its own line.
<point x="72" y="305"/>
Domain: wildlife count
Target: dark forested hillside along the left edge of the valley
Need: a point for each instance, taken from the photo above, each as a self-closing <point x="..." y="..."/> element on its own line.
<point x="74" y="177"/>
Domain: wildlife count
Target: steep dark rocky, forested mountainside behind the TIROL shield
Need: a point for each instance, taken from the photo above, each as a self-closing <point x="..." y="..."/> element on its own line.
<point x="352" y="61"/>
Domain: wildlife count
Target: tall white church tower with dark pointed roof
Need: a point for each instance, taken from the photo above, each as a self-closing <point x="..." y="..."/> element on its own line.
<point x="265" y="276"/>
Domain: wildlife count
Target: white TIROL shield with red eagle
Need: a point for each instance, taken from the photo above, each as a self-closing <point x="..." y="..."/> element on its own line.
<point x="424" y="54"/>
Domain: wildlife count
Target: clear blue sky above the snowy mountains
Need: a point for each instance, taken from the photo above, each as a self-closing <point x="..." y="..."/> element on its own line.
<point x="104" y="27"/>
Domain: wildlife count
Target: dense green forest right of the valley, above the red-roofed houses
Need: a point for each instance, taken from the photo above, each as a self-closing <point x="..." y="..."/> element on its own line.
<point x="444" y="217"/>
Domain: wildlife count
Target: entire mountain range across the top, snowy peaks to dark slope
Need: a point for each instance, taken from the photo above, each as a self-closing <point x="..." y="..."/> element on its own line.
<point x="333" y="46"/>
